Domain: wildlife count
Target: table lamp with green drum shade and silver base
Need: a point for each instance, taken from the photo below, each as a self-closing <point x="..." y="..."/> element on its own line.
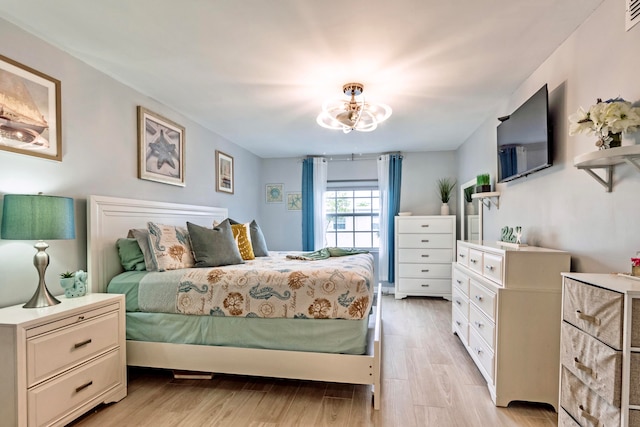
<point x="38" y="217"/>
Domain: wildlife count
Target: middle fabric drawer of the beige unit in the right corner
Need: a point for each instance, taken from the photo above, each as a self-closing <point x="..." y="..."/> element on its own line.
<point x="596" y="364"/>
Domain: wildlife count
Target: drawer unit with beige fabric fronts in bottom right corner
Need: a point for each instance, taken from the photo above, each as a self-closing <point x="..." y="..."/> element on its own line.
<point x="600" y="351"/>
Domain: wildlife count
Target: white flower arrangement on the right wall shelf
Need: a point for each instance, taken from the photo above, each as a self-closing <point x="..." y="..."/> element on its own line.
<point x="607" y="120"/>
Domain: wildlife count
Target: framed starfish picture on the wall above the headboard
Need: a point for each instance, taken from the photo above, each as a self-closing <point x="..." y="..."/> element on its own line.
<point x="161" y="149"/>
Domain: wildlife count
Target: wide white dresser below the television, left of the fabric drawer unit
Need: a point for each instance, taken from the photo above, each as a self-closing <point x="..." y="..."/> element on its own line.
<point x="506" y="308"/>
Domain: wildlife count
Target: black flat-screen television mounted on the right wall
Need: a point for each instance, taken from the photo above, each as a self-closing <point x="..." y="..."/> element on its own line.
<point x="524" y="138"/>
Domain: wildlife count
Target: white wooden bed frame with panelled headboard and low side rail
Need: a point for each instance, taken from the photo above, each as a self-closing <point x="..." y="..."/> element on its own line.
<point x="110" y="218"/>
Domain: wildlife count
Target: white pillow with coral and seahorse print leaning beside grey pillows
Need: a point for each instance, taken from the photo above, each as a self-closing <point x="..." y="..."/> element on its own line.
<point x="170" y="246"/>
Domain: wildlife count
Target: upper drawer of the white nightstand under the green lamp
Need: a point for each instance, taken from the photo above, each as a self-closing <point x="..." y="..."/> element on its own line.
<point x="51" y="353"/>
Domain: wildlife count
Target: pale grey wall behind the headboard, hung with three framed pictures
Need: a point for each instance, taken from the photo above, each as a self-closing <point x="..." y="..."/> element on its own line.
<point x="100" y="157"/>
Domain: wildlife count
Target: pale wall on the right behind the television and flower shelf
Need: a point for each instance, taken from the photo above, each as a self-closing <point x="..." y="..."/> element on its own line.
<point x="562" y="207"/>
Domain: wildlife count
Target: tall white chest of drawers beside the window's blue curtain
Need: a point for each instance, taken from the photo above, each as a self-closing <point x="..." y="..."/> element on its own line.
<point x="424" y="250"/>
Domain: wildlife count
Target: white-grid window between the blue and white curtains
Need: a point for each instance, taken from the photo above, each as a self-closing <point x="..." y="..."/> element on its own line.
<point x="353" y="216"/>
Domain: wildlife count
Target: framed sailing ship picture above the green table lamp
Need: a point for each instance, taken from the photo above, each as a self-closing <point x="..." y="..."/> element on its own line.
<point x="30" y="117"/>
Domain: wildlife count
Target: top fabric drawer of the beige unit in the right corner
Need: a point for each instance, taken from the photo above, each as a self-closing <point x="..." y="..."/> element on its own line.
<point x="595" y="310"/>
